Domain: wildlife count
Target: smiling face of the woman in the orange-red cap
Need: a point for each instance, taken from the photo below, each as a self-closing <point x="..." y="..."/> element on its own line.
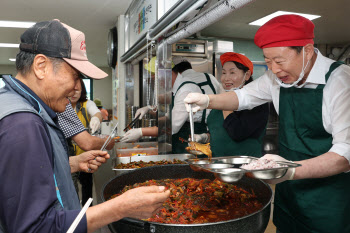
<point x="232" y="76"/>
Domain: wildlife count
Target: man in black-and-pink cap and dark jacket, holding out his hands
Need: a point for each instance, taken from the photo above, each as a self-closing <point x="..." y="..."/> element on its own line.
<point x="37" y="193"/>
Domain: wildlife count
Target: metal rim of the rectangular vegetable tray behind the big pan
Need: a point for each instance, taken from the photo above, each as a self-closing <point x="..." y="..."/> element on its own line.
<point x="147" y="158"/>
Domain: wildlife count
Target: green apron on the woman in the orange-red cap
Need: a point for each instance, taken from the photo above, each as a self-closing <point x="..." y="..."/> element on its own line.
<point x="222" y="145"/>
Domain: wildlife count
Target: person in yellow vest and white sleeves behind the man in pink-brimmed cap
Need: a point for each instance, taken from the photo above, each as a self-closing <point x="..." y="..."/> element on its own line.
<point x="87" y="113"/>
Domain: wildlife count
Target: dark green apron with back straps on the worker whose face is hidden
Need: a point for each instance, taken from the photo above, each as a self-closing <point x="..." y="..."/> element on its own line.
<point x="178" y="147"/>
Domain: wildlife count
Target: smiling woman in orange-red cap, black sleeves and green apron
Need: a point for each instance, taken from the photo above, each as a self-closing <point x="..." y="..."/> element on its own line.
<point x="240" y="132"/>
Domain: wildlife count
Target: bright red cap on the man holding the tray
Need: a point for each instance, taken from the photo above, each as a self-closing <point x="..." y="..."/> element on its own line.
<point x="285" y="31"/>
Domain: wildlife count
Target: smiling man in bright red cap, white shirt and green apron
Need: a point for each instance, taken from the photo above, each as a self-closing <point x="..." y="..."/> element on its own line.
<point x="311" y="95"/>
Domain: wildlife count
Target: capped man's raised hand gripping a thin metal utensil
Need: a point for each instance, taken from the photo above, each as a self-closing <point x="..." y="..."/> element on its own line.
<point x="89" y="161"/>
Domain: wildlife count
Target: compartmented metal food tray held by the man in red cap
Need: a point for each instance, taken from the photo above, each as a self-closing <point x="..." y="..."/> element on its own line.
<point x="227" y="169"/>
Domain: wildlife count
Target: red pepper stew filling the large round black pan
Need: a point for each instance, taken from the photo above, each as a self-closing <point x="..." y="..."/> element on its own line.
<point x="194" y="201"/>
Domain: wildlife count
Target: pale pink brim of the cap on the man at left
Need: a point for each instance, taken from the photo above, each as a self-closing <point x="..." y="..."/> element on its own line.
<point x="87" y="68"/>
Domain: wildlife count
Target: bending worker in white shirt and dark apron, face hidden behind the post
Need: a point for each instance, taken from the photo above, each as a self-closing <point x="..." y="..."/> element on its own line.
<point x="184" y="81"/>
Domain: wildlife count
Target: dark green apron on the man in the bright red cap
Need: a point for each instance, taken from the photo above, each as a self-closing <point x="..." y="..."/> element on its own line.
<point x="309" y="205"/>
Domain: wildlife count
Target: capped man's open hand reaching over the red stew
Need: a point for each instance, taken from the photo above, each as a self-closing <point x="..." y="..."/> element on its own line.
<point x="142" y="202"/>
